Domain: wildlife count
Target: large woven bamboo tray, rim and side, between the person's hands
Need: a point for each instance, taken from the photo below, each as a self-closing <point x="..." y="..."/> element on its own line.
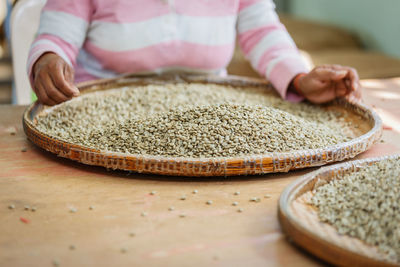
<point x="368" y="132"/>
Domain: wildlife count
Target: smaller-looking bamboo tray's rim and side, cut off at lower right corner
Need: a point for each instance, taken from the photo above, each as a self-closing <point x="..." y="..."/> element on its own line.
<point x="299" y="220"/>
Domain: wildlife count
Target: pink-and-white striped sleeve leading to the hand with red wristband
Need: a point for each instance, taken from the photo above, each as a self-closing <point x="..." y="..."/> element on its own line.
<point x="268" y="46"/>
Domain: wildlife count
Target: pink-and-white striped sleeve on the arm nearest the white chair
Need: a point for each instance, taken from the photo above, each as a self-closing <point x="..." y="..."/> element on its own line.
<point x="62" y="30"/>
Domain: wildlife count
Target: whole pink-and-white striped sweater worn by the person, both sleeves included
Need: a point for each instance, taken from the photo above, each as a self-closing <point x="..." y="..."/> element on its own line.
<point x="105" y="38"/>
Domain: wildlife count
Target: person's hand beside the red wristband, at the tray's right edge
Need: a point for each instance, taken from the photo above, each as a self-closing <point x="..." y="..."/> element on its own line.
<point x="327" y="82"/>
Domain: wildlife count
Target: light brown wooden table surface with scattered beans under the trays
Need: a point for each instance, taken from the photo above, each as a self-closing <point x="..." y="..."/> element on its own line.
<point x="208" y="235"/>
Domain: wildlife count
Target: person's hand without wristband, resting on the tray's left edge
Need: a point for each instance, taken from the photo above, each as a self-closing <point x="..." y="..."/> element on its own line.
<point x="53" y="80"/>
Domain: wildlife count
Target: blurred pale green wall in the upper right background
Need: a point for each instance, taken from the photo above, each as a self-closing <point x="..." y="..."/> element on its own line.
<point x="376" y="23"/>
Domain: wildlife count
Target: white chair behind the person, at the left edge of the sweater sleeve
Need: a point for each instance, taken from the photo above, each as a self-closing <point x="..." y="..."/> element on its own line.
<point x="24" y="24"/>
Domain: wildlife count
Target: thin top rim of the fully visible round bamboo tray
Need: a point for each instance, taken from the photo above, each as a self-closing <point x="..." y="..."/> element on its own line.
<point x="30" y="128"/>
